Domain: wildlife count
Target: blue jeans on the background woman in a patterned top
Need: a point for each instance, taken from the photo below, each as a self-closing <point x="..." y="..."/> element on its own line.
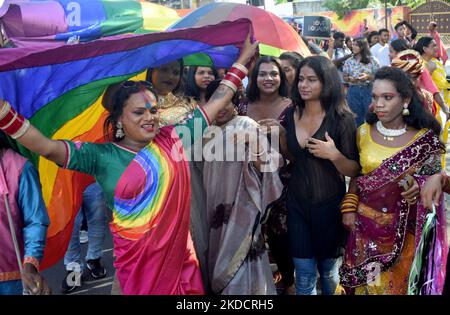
<point x="359" y="98"/>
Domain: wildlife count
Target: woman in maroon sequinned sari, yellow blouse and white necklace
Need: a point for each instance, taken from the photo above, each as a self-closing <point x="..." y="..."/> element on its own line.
<point x="399" y="149"/>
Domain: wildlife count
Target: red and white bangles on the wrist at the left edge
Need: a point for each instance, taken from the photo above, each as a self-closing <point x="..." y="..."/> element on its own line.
<point x="11" y="122"/>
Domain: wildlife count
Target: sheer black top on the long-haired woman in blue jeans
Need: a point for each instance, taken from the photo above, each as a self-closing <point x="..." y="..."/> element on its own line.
<point x="316" y="189"/>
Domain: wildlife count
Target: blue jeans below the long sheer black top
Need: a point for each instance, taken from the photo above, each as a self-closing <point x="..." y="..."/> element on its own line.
<point x="306" y="275"/>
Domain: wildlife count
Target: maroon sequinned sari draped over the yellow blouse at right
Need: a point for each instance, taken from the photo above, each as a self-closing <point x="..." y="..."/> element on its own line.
<point x="380" y="250"/>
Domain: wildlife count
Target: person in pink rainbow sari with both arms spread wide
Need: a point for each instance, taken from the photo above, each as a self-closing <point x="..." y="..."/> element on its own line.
<point x="145" y="177"/>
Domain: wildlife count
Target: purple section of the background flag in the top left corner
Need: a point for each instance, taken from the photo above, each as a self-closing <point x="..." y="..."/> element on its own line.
<point x="34" y="19"/>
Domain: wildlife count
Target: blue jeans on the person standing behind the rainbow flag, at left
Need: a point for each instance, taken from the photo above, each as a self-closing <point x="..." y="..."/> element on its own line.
<point x="94" y="208"/>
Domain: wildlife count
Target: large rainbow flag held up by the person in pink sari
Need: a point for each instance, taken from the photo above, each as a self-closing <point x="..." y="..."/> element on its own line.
<point x="60" y="89"/>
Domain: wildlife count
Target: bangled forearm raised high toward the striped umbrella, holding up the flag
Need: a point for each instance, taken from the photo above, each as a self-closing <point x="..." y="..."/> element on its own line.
<point x="224" y="93"/>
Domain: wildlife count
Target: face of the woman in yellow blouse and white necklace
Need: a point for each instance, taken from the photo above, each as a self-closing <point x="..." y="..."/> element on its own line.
<point x="387" y="102"/>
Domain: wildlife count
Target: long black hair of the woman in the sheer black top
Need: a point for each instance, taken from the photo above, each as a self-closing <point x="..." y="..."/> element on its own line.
<point x="332" y="97"/>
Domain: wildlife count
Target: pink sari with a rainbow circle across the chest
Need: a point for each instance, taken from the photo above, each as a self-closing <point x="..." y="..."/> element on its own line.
<point x="154" y="251"/>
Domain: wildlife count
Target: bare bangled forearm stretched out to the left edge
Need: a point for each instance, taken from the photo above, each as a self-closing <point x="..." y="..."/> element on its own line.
<point x="19" y="128"/>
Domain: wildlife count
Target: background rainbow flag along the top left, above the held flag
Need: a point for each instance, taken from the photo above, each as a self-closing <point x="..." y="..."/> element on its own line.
<point x="33" y="21"/>
